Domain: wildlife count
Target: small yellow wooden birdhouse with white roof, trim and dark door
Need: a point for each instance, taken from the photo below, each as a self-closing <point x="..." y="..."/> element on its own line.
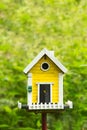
<point x="45" y="82"/>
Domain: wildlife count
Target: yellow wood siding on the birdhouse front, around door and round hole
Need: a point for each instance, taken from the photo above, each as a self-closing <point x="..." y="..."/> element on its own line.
<point x="51" y="75"/>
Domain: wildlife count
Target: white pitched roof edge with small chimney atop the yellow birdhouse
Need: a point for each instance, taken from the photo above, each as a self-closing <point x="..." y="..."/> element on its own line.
<point x="50" y="54"/>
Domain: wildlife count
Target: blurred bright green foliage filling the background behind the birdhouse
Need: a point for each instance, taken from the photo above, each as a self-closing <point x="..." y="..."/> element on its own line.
<point x="26" y="27"/>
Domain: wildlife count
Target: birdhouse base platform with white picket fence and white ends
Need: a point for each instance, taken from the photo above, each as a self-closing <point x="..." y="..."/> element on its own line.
<point x="50" y="107"/>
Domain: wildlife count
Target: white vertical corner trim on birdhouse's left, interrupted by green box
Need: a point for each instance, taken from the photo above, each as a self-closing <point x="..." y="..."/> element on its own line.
<point x="29" y="94"/>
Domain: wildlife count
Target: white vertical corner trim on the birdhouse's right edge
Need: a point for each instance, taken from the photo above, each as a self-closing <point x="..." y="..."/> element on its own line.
<point x="60" y="78"/>
